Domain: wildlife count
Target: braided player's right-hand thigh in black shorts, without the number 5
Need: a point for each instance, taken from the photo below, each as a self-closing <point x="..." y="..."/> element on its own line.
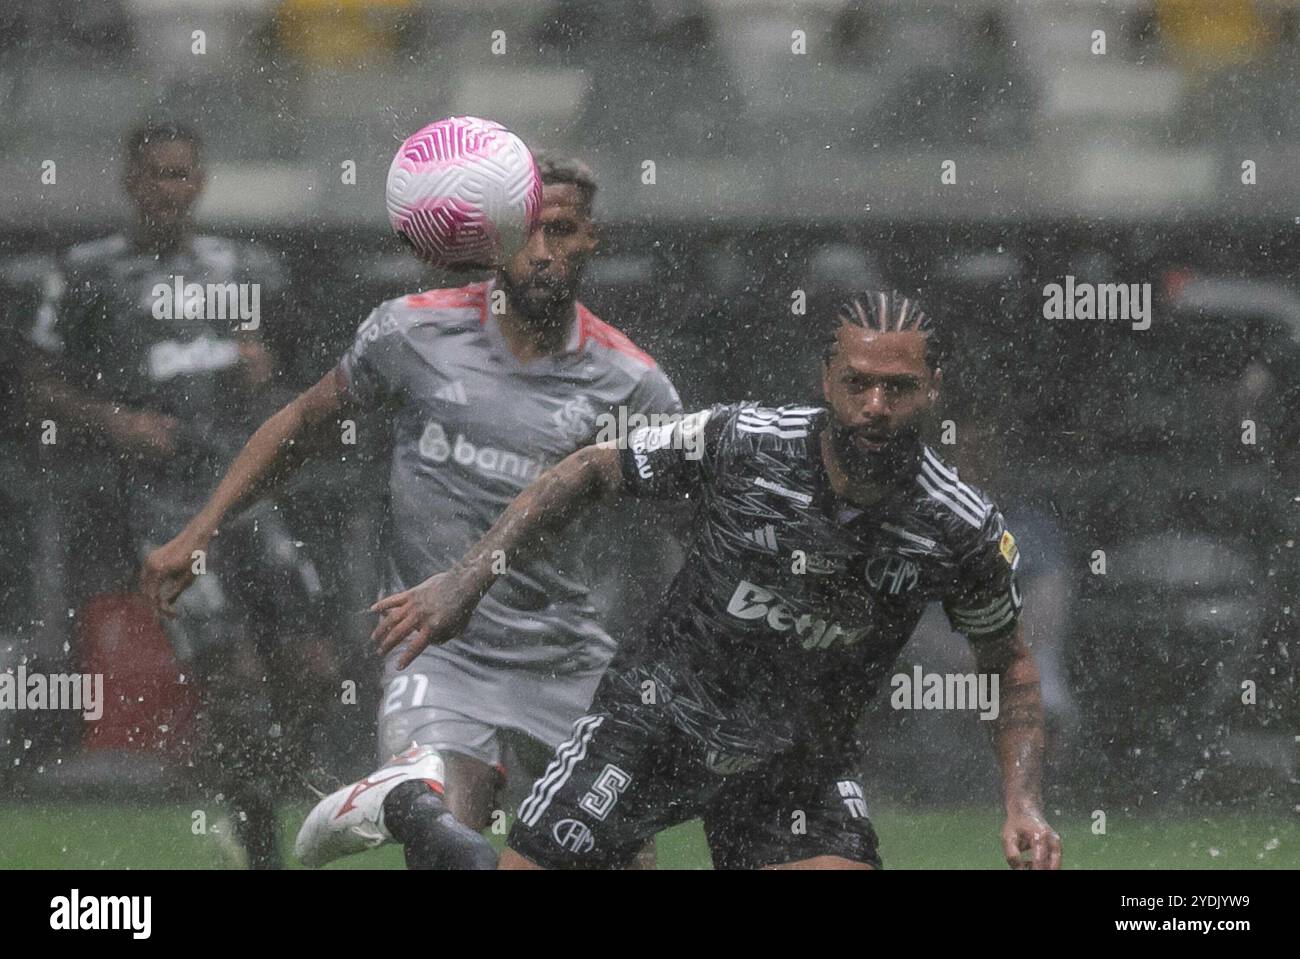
<point x="792" y="815"/>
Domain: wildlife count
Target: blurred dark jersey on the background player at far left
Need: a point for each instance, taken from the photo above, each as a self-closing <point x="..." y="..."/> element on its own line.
<point x="120" y="332"/>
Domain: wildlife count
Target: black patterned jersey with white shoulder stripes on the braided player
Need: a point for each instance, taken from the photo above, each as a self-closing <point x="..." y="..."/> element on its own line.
<point x="794" y="606"/>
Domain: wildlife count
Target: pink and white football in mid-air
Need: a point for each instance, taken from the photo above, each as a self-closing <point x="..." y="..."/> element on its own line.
<point x="465" y="193"/>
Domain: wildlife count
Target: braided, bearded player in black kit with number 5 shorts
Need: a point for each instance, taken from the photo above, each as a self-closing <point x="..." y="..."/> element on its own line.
<point x="824" y="532"/>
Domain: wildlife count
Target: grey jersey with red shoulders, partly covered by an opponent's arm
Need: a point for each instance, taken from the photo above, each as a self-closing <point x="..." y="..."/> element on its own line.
<point x="474" y="427"/>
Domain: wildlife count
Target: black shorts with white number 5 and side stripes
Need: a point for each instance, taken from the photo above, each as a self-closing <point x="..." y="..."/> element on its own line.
<point x="630" y="773"/>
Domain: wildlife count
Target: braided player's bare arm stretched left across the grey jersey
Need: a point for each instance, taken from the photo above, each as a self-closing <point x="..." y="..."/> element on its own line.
<point x="440" y="607"/>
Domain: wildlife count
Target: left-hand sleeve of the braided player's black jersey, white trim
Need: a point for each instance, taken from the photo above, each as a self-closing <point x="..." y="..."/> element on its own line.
<point x="674" y="461"/>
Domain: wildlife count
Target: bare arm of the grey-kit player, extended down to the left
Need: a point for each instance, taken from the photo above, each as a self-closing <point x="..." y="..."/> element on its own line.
<point x="268" y="459"/>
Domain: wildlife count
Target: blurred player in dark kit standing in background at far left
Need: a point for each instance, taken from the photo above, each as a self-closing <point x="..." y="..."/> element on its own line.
<point x="155" y="392"/>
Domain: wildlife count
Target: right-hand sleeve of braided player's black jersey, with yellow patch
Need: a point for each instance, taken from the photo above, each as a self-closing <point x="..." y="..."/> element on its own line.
<point x="986" y="601"/>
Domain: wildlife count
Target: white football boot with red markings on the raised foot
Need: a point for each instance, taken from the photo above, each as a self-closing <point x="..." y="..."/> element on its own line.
<point x="352" y="819"/>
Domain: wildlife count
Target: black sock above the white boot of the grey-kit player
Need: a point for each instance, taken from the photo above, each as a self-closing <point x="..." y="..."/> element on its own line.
<point x="431" y="836"/>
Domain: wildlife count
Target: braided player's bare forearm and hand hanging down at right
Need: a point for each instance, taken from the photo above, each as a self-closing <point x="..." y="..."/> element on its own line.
<point x="1019" y="741"/>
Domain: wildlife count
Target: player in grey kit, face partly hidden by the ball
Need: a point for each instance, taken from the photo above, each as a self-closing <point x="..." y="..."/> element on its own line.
<point x="487" y="387"/>
